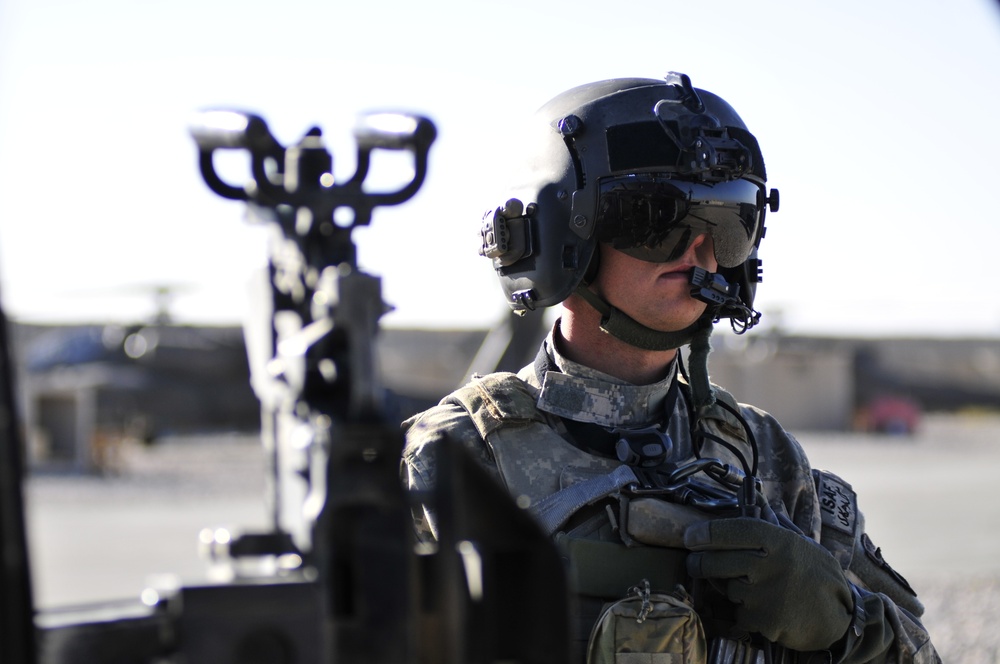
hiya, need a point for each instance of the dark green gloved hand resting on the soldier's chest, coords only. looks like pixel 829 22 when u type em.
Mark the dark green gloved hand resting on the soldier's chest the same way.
pixel 786 587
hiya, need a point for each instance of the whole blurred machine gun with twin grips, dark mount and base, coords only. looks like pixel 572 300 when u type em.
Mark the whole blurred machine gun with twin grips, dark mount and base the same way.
pixel 338 577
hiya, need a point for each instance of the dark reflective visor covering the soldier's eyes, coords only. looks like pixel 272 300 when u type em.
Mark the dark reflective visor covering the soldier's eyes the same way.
pixel 654 218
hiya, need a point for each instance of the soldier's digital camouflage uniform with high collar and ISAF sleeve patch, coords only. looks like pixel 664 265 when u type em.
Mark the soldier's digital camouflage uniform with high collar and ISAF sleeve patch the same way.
pixel 534 434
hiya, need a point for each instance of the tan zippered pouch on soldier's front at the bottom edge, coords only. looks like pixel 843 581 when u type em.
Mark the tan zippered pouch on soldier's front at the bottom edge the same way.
pixel 648 628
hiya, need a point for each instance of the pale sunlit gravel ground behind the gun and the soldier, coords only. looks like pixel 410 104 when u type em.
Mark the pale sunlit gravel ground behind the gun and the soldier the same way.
pixel 928 501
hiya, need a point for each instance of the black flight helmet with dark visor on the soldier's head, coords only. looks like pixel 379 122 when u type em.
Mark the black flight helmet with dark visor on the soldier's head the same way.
pixel 643 164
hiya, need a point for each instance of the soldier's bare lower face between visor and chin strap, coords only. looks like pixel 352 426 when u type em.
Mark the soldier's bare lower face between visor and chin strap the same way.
pixel 655 294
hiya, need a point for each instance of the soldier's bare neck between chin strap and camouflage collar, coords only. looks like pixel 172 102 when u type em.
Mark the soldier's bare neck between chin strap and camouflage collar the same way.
pixel 582 341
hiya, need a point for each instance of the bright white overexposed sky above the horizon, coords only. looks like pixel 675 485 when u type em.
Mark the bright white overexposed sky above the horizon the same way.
pixel 877 122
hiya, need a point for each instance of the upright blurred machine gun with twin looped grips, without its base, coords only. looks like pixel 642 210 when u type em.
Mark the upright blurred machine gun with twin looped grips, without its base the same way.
pixel 339 514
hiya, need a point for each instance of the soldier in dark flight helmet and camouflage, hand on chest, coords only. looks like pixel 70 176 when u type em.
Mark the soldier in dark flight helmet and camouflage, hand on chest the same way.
pixel 640 208
